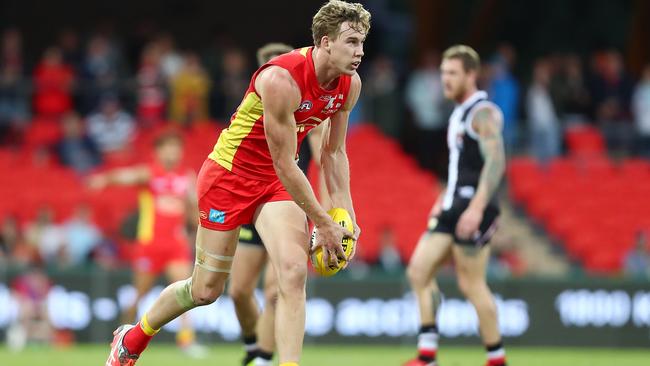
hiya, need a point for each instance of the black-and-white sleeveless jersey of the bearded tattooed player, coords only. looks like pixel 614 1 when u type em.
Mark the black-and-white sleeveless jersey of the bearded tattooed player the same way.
pixel 465 158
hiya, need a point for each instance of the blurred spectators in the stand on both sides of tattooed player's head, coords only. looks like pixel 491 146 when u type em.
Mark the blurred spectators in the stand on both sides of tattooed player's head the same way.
pixel 556 92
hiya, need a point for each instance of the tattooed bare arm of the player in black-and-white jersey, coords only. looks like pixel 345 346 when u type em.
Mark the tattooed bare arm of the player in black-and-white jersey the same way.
pixel 488 124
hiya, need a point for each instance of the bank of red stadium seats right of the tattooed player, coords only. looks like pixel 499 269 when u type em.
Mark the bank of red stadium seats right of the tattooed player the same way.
pixel 594 207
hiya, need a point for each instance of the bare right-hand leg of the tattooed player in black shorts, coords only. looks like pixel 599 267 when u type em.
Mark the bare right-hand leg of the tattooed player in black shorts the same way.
pixel 471 265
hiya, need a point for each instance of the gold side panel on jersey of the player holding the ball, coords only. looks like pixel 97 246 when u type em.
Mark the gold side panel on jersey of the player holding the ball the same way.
pixel 249 111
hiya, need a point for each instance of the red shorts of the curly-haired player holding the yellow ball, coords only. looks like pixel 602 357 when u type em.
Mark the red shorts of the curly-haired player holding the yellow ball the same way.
pixel 227 200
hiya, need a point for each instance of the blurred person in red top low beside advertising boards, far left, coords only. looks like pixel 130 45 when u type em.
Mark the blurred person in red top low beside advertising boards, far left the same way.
pixel 31 290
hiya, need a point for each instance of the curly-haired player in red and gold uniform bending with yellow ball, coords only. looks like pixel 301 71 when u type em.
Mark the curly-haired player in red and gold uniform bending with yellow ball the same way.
pixel 251 176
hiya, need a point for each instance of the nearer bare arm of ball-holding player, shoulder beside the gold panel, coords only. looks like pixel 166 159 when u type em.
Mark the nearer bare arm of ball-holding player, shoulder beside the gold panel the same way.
pixel 281 97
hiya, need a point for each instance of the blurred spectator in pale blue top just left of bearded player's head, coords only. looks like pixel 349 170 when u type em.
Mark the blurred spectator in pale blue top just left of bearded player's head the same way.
pixel 426 103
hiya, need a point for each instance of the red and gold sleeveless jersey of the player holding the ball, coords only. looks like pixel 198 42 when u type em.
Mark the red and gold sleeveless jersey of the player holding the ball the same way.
pixel 242 147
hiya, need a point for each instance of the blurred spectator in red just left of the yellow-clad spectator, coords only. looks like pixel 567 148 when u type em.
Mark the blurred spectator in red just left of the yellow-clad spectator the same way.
pixel 151 84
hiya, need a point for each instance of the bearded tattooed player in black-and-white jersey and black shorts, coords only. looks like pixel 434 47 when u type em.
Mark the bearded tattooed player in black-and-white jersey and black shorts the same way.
pixel 464 217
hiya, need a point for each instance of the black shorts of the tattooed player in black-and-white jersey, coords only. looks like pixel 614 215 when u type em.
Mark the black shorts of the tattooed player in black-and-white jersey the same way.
pixel 448 219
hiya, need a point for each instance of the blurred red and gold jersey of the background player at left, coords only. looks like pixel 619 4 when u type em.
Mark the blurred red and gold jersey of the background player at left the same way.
pixel 163 204
